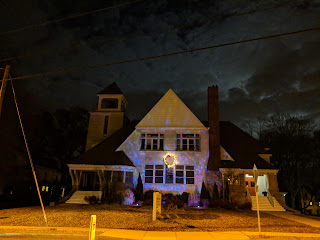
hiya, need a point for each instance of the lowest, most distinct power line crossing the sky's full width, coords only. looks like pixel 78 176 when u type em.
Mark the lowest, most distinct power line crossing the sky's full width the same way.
pixel 164 55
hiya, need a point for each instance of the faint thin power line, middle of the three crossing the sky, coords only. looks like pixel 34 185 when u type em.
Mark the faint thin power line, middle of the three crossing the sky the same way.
pixel 133 36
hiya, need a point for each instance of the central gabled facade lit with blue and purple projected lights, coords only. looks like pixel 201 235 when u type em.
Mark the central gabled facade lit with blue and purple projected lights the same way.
pixel 169 147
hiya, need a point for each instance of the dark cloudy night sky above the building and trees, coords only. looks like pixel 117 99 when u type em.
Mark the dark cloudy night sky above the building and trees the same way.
pixel 255 79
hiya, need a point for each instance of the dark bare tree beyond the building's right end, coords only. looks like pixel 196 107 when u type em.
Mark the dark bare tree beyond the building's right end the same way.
pixel 291 142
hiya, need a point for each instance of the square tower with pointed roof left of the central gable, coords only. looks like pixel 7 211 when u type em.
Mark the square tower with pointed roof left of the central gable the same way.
pixel 109 117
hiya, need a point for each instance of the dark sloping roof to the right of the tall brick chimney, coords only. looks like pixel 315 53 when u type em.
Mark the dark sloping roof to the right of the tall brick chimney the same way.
pixel 242 147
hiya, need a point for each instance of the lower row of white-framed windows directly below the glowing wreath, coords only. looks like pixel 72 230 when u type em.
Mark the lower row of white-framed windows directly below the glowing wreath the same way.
pixel 179 174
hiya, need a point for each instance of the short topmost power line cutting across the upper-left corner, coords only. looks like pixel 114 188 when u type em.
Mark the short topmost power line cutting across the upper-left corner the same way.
pixel 64 18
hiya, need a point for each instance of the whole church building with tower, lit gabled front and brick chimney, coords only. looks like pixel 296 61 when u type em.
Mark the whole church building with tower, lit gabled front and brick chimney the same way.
pixel 172 150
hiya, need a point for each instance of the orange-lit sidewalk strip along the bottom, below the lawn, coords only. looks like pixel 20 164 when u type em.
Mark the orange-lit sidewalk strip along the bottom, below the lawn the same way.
pixel 148 235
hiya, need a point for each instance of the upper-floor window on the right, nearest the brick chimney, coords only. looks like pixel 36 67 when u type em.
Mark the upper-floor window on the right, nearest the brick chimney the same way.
pixel 188 142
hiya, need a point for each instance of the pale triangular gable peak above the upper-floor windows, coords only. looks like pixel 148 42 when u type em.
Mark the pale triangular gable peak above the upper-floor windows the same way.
pixel 170 111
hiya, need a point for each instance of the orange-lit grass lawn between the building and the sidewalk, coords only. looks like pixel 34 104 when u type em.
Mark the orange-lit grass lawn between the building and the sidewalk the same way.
pixel 139 218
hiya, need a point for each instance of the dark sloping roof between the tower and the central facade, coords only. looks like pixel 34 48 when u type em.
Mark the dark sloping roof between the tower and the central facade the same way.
pixel 105 152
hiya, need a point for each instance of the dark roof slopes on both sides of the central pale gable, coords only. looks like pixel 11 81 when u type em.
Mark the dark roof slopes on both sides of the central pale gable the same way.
pixel 242 147
